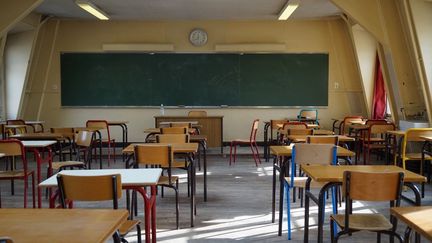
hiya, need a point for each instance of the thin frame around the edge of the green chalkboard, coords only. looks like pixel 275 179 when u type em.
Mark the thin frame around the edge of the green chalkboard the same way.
pixel 199 106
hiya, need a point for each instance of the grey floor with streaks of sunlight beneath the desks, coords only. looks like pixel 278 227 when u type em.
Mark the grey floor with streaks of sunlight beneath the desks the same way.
pixel 238 207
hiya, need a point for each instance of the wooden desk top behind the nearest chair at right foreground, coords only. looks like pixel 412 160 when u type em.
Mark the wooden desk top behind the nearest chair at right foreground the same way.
pixel 329 173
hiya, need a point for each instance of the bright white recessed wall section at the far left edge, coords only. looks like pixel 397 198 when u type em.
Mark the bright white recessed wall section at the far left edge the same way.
pixel 17 53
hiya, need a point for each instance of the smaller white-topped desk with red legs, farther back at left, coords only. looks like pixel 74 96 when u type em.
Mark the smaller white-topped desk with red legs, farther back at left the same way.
pixel 38 147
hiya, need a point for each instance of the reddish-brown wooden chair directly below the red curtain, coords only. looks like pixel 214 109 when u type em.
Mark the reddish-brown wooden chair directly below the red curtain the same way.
pixel 375 139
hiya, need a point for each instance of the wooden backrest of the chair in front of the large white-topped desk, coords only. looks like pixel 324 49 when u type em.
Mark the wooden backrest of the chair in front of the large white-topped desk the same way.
pixel 90 188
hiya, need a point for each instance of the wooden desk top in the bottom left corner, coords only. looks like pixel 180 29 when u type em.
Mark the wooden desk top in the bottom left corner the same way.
pixel 60 225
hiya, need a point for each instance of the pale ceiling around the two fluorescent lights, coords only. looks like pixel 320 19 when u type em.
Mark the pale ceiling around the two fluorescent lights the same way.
pixel 189 9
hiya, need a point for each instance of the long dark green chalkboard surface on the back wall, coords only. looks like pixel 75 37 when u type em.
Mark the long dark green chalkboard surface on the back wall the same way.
pixel 125 79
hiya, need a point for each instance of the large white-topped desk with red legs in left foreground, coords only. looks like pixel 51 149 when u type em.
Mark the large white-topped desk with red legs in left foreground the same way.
pixel 132 179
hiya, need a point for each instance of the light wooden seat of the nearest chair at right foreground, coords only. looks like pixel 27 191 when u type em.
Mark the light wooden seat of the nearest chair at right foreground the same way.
pixel 373 222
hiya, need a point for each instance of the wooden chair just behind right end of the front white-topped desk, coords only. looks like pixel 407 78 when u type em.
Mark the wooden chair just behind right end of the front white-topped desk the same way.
pixel 161 156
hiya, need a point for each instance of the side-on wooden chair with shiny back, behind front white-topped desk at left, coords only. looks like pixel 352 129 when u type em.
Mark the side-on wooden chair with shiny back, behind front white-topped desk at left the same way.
pixel 84 141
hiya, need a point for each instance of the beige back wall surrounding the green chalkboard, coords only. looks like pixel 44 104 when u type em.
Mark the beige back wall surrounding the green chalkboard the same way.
pixel 323 36
